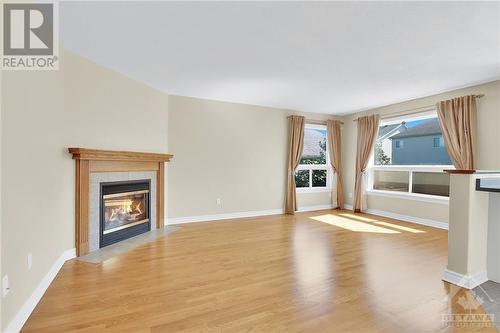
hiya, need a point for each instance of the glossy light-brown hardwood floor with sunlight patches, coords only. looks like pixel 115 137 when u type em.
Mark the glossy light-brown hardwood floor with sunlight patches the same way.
pixel 327 271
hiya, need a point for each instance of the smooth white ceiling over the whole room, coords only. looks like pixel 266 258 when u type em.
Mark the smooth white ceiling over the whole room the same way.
pixel 328 57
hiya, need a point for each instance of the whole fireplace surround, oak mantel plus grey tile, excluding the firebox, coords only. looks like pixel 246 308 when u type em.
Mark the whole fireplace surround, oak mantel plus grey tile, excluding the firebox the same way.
pixel 94 166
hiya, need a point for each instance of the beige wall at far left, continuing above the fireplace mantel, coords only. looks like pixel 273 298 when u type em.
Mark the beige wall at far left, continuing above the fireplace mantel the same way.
pixel 43 114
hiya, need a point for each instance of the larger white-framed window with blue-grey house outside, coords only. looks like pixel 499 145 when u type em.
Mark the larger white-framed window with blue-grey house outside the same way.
pixel 410 157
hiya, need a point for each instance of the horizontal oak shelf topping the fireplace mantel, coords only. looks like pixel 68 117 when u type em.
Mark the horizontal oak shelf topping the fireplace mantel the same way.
pixel 113 155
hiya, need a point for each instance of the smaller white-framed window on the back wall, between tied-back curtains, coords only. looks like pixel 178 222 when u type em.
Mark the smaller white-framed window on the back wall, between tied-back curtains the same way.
pixel 314 171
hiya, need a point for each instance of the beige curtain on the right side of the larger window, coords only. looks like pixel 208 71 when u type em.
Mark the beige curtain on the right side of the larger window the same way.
pixel 458 121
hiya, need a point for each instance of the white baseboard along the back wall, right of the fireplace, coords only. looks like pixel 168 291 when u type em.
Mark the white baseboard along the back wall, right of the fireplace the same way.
pixel 227 216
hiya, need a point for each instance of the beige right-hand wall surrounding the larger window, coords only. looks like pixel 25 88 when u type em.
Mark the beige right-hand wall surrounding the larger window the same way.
pixel 488 157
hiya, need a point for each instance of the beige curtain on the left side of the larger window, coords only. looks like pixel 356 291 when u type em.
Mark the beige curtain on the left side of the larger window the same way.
pixel 367 134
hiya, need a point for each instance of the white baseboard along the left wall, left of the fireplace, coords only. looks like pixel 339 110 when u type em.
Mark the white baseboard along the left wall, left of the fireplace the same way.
pixel 17 323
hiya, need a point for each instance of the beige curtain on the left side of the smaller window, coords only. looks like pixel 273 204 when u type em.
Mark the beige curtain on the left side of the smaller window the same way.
pixel 295 146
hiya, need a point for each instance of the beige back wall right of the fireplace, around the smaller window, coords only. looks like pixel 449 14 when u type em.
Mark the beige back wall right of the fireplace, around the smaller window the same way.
pixel 234 152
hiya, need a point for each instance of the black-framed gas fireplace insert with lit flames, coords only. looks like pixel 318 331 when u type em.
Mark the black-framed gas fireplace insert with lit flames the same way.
pixel 125 210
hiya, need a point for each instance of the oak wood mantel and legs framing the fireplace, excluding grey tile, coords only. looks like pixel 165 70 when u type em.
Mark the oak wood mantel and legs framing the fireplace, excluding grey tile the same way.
pixel 93 160
